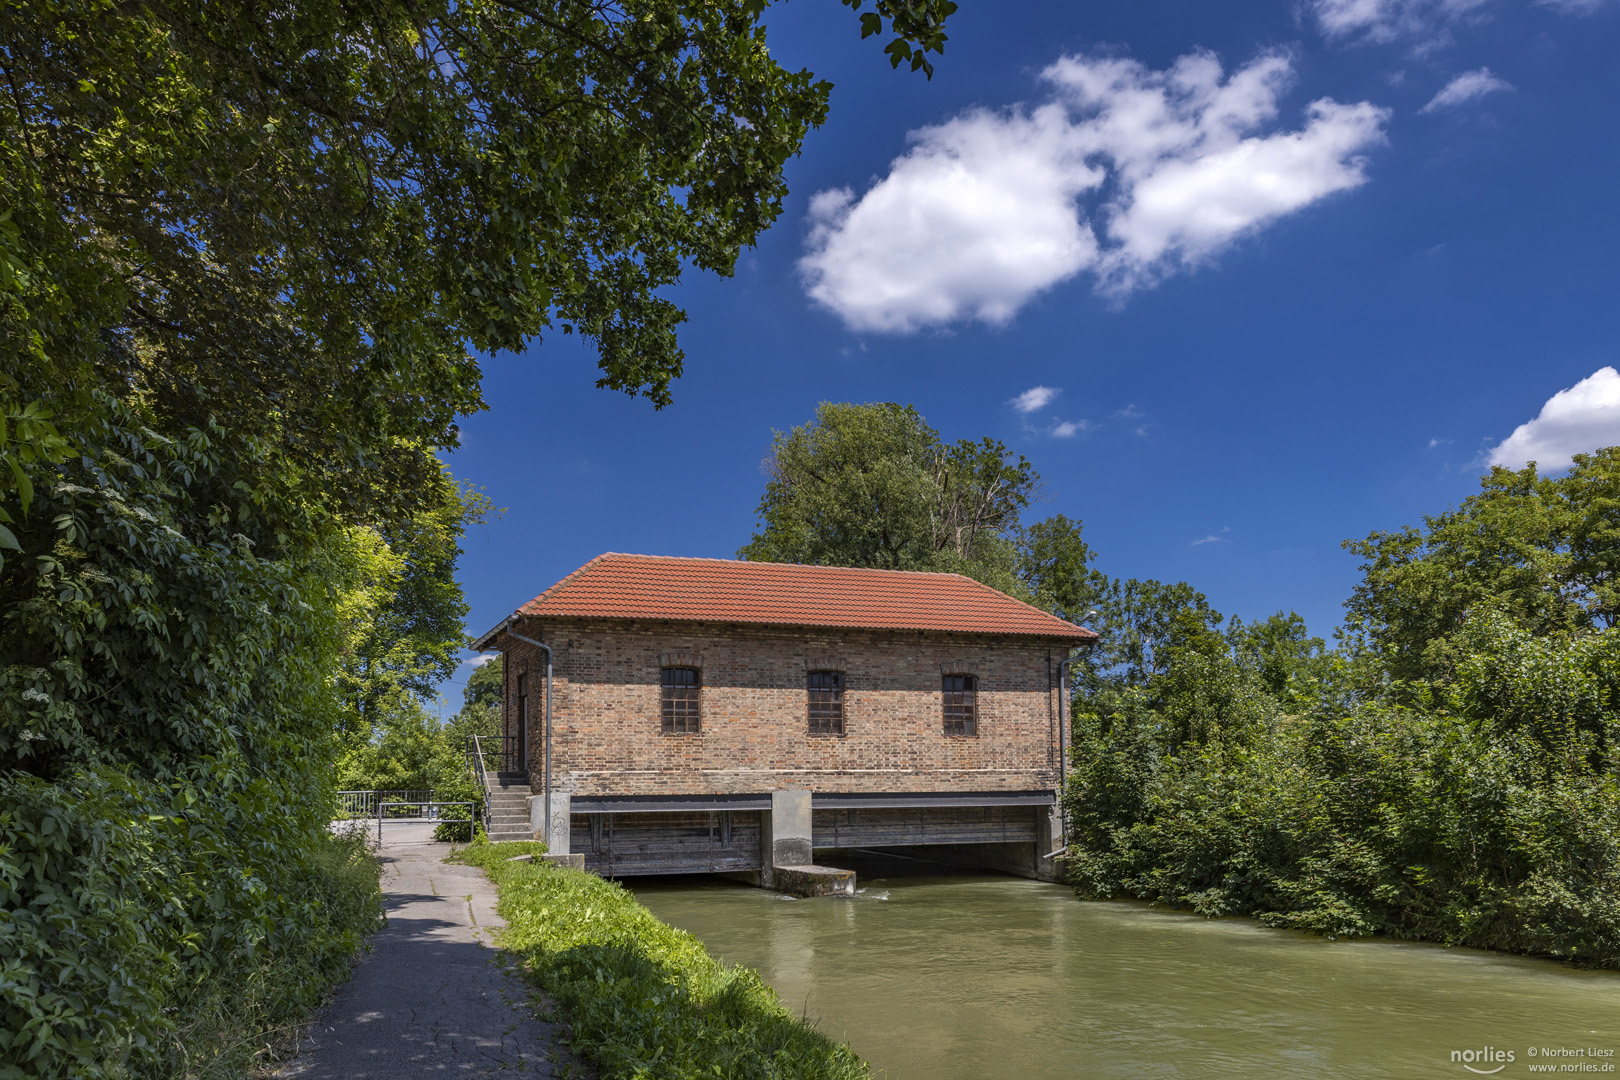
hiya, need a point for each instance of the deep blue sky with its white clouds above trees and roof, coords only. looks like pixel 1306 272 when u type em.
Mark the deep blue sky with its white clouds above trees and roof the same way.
pixel 1289 273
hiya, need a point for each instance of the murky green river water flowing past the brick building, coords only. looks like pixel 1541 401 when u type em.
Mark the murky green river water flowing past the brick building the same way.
pixel 986 977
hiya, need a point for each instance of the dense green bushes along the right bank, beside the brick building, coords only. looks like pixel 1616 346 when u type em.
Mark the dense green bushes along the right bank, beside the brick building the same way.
pixel 1488 819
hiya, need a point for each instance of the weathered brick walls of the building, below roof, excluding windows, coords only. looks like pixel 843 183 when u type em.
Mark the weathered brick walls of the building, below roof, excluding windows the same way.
pixel 607 731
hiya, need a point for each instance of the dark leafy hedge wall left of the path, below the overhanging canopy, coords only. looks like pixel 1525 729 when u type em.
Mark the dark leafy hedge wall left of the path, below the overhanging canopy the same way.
pixel 164 786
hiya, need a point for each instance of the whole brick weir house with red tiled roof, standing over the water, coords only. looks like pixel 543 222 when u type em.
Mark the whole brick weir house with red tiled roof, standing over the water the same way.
pixel 757 720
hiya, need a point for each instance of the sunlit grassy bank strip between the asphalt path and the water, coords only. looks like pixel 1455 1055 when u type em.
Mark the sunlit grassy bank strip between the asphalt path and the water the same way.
pixel 646 1000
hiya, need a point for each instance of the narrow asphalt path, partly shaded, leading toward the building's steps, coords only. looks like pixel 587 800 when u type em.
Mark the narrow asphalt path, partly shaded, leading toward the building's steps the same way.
pixel 433 998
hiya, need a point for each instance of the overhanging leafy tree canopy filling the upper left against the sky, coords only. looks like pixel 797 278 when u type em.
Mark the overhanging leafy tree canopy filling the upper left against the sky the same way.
pixel 318 215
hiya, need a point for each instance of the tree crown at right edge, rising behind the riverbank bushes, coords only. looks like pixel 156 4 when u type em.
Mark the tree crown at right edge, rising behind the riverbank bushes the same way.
pixel 1543 550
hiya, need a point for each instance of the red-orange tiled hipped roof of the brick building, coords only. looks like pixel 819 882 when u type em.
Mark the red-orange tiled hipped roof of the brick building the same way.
pixel 722 590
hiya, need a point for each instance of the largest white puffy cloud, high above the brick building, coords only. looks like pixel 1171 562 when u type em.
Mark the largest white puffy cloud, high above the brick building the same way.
pixel 1127 172
